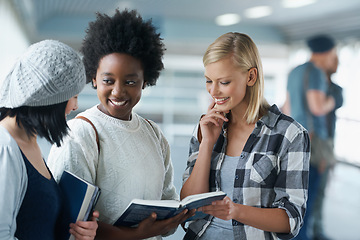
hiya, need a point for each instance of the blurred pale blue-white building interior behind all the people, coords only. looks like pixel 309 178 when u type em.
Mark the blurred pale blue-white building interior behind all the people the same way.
pixel 278 27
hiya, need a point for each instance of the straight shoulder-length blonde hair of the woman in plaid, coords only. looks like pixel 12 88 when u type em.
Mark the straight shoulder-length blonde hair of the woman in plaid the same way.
pixel 245 55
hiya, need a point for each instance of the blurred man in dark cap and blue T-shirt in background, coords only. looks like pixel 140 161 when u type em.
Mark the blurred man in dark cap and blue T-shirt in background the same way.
pixel 308 102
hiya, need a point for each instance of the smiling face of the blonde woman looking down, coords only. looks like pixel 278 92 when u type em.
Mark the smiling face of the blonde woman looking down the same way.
pixel 227 84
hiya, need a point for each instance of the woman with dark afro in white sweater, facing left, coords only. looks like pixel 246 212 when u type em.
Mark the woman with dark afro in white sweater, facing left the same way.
pixel 124 154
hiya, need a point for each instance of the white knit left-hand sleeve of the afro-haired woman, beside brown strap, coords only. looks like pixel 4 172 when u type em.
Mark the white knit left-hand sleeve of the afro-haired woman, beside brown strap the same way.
pixel 78 152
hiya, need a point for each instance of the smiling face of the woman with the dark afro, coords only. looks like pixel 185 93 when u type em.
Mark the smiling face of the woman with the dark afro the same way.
pixel 119 82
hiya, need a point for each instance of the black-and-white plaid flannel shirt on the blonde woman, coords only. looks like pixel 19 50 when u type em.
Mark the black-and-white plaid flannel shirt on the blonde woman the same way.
pixel 272 172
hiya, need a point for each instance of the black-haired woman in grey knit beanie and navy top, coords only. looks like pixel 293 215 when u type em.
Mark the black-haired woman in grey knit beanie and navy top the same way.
pixel 34 100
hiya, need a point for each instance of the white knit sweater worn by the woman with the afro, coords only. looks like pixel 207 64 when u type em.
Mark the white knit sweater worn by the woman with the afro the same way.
pixel 134 160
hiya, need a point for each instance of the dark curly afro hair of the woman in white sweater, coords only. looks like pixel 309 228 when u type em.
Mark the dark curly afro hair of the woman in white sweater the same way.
pixel 125 32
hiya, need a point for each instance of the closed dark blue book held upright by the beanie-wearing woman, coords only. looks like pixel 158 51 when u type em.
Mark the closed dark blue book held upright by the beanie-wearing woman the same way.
pixel 79 196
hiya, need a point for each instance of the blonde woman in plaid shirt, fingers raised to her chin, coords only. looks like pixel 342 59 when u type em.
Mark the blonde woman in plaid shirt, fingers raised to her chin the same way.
pixel 246 148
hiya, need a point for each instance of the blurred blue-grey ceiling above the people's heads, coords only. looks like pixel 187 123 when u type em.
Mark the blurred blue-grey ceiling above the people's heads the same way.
pixel 188 25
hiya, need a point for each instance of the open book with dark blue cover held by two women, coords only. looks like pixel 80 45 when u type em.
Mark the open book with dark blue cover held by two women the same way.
pixel 139 209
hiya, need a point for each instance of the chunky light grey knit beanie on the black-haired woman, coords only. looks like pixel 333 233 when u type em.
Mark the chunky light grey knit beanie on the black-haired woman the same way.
pixel 49 72
